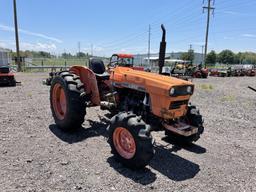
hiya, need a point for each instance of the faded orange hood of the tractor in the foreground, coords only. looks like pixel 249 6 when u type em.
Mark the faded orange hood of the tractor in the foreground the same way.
pixel 146 81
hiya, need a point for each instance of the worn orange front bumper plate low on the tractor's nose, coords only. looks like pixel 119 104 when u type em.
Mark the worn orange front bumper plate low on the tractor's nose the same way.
pixel 181 129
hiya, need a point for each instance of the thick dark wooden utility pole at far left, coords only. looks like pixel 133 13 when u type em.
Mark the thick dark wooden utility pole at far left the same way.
pixel 18 62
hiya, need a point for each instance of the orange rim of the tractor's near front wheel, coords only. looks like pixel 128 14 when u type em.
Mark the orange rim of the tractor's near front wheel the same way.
pixel 124 142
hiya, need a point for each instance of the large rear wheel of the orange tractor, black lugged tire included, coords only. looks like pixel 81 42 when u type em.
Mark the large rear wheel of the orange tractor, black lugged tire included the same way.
pixel 67 105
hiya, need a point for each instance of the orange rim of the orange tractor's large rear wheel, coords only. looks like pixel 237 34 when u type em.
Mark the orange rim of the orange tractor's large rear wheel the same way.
pixel 59 101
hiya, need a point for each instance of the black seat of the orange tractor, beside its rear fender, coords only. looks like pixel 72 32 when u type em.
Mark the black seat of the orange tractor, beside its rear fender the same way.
pixel 98 67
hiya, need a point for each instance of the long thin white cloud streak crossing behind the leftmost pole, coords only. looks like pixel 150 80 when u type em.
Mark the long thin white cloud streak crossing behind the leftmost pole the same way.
pixel 11 29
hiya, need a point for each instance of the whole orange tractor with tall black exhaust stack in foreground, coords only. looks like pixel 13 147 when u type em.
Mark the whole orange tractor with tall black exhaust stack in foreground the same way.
pixel 140 102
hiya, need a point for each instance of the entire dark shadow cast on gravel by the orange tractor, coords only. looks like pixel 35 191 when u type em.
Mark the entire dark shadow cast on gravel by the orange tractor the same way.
pixel 172 166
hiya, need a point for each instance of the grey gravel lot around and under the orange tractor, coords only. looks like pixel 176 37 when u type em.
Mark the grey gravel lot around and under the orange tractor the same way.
pixel 36 156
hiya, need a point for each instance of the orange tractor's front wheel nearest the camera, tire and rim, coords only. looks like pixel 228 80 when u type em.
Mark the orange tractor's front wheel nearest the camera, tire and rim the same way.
pixel 130 140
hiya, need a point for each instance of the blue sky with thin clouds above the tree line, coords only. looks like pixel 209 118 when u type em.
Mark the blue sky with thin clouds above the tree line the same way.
pixel 122 26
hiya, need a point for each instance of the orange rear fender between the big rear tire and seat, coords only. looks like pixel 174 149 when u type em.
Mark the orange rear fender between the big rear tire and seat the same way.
pixel 88 78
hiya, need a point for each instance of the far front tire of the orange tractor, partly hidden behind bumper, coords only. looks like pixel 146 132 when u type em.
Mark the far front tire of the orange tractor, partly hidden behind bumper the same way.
pixel 193 118
